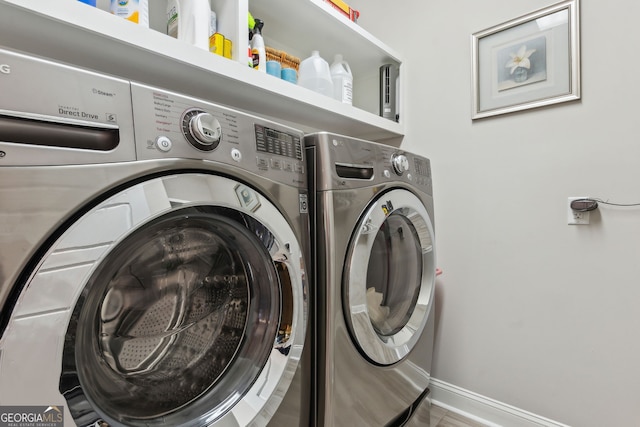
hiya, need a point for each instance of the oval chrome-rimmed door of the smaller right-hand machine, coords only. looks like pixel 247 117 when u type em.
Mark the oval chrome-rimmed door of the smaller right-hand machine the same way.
pixel 389 277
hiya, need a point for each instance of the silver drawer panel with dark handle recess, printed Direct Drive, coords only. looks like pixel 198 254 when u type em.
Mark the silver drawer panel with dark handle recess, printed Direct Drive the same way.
pixel 53 114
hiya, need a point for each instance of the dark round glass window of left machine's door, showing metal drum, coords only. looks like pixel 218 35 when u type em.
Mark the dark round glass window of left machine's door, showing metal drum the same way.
pixel 173 315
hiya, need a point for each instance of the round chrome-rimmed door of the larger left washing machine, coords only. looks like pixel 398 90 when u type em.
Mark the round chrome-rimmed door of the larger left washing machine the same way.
pixel 190 311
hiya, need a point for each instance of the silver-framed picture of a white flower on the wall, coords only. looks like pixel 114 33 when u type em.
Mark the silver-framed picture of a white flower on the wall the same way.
pixel 528 62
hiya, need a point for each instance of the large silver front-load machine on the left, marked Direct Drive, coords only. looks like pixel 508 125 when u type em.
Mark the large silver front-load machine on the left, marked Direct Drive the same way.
pixel 152 256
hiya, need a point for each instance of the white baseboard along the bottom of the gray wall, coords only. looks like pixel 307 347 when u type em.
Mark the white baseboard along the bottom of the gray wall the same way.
pixel 483 409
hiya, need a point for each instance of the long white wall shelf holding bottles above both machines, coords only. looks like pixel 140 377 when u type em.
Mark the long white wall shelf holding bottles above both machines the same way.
pixel 75 33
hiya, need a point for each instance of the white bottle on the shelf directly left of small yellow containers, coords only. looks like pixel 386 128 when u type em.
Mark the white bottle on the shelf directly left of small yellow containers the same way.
pixel 190 21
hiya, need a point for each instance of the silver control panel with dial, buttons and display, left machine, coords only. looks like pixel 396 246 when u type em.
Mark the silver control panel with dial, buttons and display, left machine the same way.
pixel 171 125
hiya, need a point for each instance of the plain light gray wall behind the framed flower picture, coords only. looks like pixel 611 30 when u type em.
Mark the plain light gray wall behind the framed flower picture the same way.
pixel 533 312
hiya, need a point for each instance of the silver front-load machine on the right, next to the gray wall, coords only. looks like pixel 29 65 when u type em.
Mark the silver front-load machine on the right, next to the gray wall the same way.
pixel 374 254
